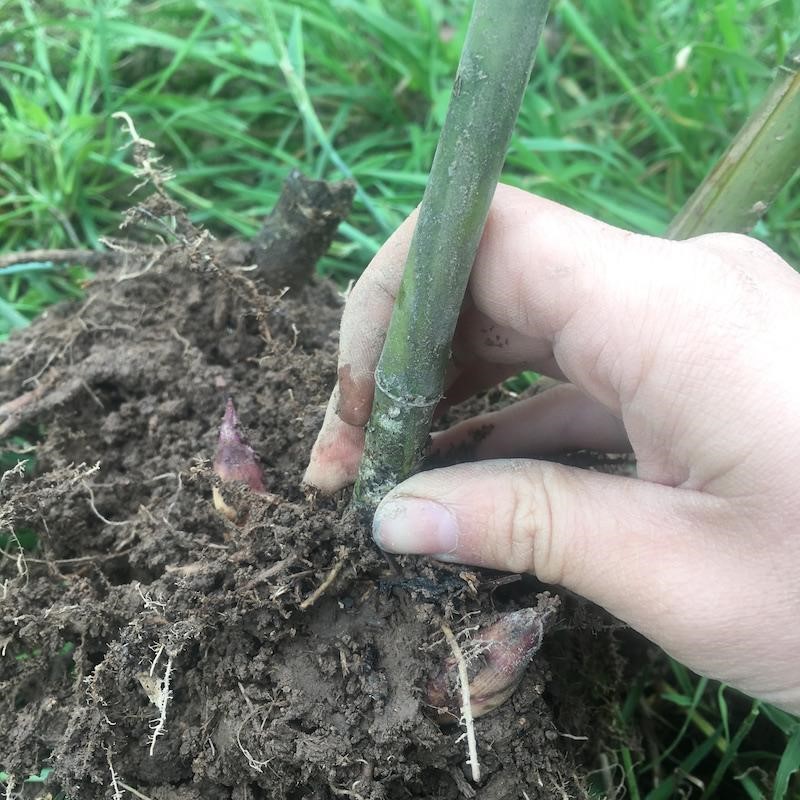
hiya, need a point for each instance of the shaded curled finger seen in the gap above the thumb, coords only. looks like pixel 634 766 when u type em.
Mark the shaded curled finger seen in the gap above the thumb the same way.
pixel 556 421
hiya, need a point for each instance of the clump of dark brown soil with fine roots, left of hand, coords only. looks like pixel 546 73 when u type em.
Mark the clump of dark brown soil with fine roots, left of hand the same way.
pixel 272 693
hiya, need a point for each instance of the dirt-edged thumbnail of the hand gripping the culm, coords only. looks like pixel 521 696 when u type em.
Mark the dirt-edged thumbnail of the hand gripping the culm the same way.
pixel 414 525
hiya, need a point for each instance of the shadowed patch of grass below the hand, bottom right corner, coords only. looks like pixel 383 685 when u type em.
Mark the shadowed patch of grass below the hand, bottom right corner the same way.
pixel 706 739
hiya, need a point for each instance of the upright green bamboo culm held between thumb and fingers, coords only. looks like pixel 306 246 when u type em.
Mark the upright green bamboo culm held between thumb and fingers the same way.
pixel 495 66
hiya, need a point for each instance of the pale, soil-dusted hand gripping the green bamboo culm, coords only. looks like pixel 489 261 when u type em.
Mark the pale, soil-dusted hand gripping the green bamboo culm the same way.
pixel 684 353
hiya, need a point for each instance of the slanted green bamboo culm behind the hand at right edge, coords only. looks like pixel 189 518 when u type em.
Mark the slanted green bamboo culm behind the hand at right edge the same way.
pixel 763 156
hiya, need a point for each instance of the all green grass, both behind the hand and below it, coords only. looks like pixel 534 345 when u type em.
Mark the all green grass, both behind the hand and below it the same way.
pixel 612 125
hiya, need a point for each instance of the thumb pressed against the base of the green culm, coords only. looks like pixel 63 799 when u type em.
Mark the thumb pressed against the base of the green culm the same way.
pixel 645 552
